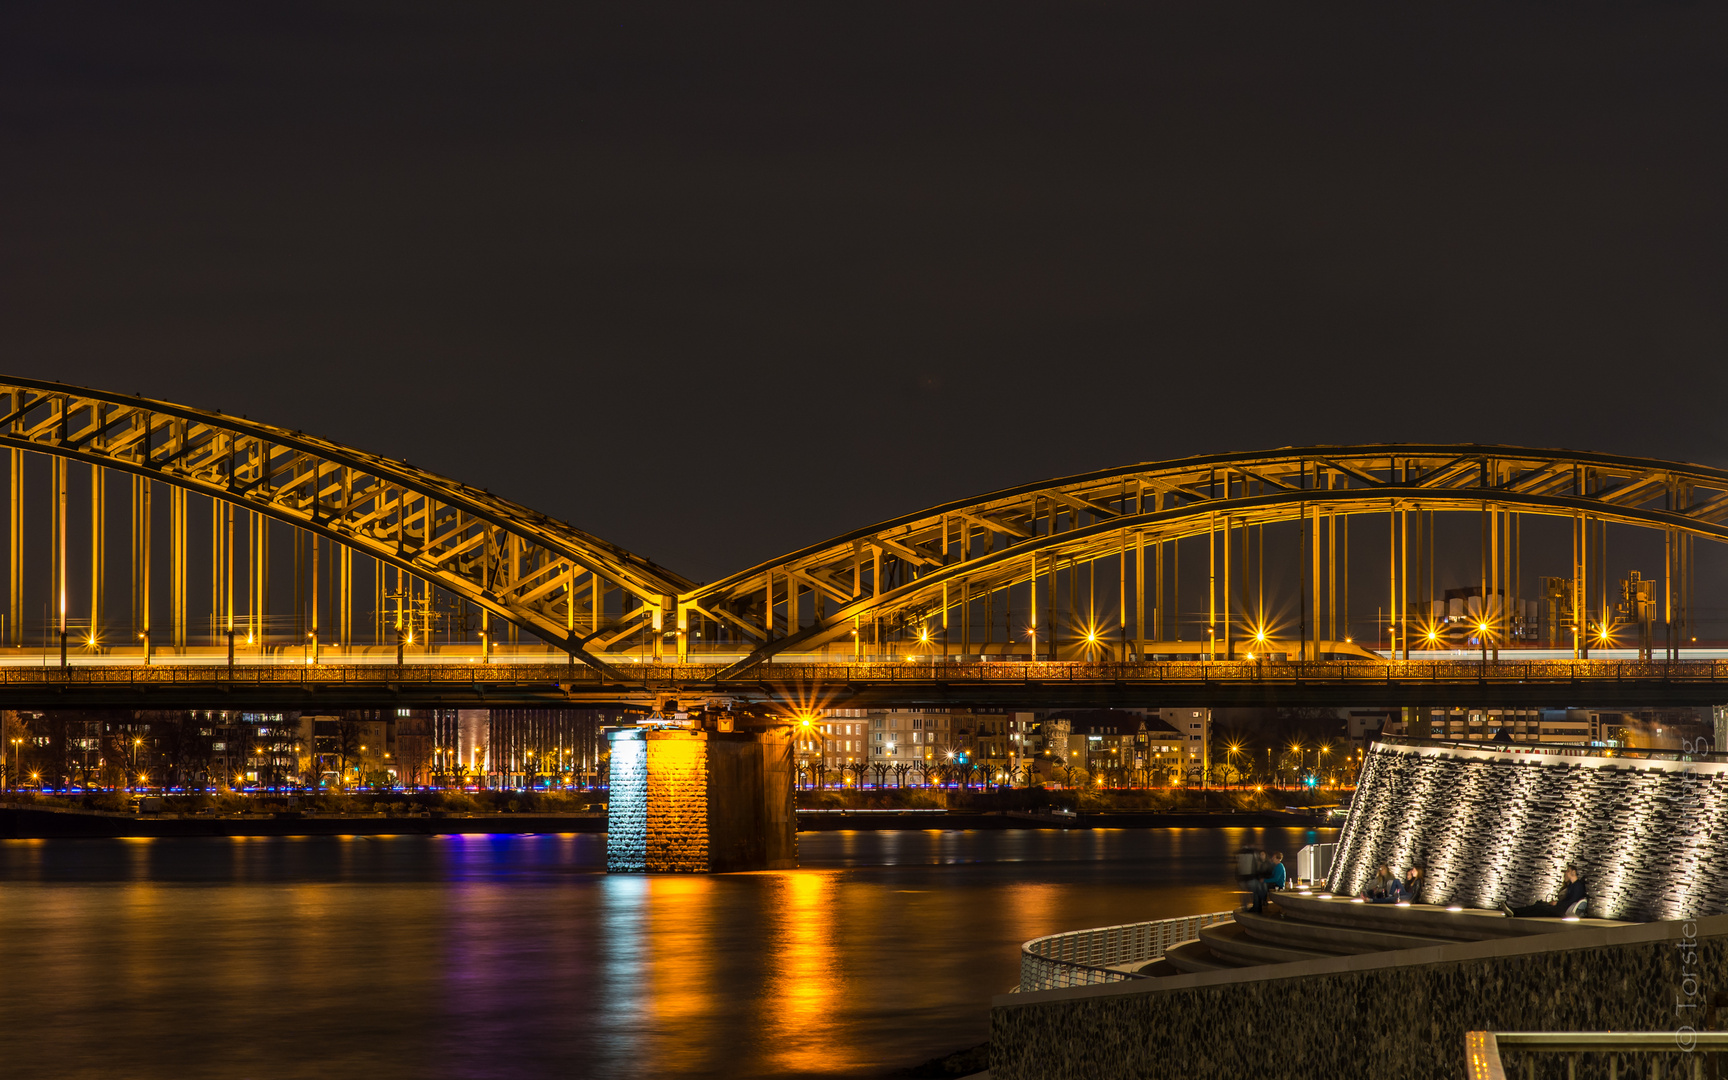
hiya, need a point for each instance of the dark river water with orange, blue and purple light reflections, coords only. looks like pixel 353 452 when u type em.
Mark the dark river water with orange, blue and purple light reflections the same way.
pixel 518 956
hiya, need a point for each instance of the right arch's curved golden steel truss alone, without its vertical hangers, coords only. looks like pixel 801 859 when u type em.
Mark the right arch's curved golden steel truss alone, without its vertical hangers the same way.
pixel 913 566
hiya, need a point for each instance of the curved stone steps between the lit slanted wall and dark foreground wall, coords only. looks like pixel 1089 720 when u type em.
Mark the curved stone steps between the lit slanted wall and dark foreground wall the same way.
pixel 1307 925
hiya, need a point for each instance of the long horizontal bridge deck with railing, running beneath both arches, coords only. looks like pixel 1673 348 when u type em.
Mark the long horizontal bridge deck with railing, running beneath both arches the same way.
pixel 810 689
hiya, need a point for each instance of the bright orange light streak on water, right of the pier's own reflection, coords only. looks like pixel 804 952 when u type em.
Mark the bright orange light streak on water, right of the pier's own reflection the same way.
pixel 804 982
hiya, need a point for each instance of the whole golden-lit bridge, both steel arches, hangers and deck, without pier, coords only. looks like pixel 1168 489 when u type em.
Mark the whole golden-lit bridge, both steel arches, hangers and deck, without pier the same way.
pixel 174 557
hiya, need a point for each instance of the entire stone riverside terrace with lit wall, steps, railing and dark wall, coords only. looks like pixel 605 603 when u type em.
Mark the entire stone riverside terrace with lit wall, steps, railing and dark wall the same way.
pixel 1447 984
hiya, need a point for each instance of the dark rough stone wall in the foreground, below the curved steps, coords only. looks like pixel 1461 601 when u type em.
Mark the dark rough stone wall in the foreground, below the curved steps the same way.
pixel 1390 1013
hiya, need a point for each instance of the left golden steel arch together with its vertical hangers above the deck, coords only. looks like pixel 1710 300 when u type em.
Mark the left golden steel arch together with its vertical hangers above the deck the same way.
pixel 512 562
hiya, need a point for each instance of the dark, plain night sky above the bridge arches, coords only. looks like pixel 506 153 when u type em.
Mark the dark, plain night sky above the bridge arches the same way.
pixel 721 281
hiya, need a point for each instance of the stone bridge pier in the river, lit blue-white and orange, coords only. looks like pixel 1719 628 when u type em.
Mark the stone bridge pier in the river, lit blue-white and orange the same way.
pixel 701 801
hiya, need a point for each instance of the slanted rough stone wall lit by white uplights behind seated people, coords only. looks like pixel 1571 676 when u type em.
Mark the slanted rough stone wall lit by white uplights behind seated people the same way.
pixel 1496 829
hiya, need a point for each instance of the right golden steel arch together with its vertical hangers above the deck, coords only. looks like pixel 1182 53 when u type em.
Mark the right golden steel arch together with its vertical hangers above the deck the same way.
pixel 918 569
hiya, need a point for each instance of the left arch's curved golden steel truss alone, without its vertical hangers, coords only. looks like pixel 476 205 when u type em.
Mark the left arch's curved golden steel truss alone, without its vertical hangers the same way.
pixel 507 559
